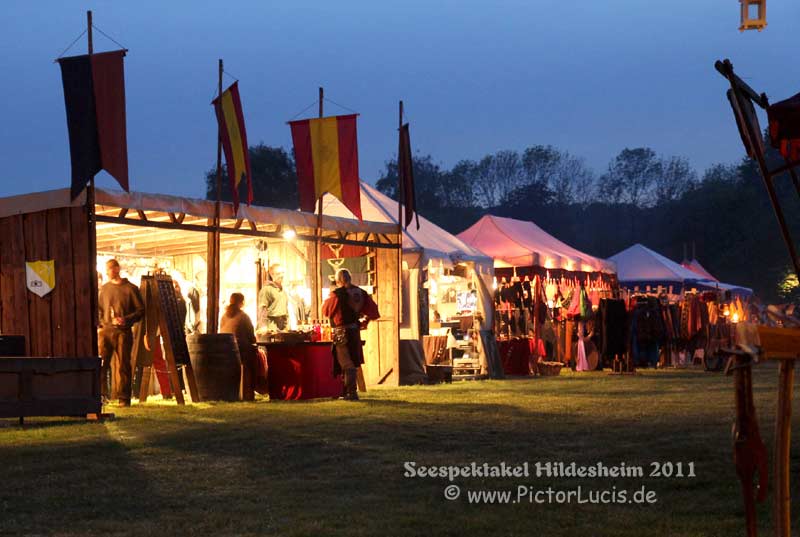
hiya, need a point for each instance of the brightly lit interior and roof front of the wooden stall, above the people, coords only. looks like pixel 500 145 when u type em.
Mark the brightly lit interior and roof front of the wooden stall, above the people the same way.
pixel 148 233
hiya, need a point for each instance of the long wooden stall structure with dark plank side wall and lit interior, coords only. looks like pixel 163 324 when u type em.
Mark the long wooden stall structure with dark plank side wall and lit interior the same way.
pixel 49 226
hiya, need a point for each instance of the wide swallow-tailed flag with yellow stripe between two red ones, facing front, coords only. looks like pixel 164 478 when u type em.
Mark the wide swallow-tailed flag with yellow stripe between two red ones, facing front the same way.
pixel 326 153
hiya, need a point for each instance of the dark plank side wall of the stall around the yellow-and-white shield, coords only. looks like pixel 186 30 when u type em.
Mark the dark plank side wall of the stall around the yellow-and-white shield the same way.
pixel 34 229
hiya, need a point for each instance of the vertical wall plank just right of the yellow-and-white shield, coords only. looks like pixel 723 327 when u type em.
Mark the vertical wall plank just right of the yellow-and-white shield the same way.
pixel 59 234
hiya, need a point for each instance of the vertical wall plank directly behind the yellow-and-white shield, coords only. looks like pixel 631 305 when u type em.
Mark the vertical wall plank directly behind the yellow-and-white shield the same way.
pixel 39 308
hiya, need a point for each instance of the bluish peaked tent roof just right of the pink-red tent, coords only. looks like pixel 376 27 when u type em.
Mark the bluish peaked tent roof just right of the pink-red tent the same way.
pixel 641 266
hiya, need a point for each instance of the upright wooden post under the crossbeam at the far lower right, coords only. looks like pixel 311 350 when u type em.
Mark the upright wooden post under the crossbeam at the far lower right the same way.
pixel 783 435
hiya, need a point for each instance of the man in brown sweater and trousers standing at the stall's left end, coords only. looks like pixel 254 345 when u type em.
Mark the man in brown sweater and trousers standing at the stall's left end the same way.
pixel 120 306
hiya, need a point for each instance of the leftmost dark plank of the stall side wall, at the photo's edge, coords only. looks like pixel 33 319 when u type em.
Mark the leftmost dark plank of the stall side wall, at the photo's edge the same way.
pixel 13 300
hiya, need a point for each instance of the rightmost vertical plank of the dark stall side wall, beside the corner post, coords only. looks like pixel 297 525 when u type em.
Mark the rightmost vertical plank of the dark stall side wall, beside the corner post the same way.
pixel 84 272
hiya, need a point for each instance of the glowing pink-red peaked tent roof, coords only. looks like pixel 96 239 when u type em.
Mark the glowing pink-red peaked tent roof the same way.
pixel 523 244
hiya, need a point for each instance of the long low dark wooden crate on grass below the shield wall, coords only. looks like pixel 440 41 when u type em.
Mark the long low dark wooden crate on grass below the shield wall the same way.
pixel 49 387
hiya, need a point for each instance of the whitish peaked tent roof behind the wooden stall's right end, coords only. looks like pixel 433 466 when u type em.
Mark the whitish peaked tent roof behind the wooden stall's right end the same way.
pixel 428 242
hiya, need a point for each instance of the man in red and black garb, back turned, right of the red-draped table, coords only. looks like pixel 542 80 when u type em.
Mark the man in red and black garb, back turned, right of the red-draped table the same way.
pixel 349 309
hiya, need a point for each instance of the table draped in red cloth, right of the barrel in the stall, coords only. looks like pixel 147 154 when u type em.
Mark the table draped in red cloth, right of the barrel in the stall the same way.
pixel 301 371
